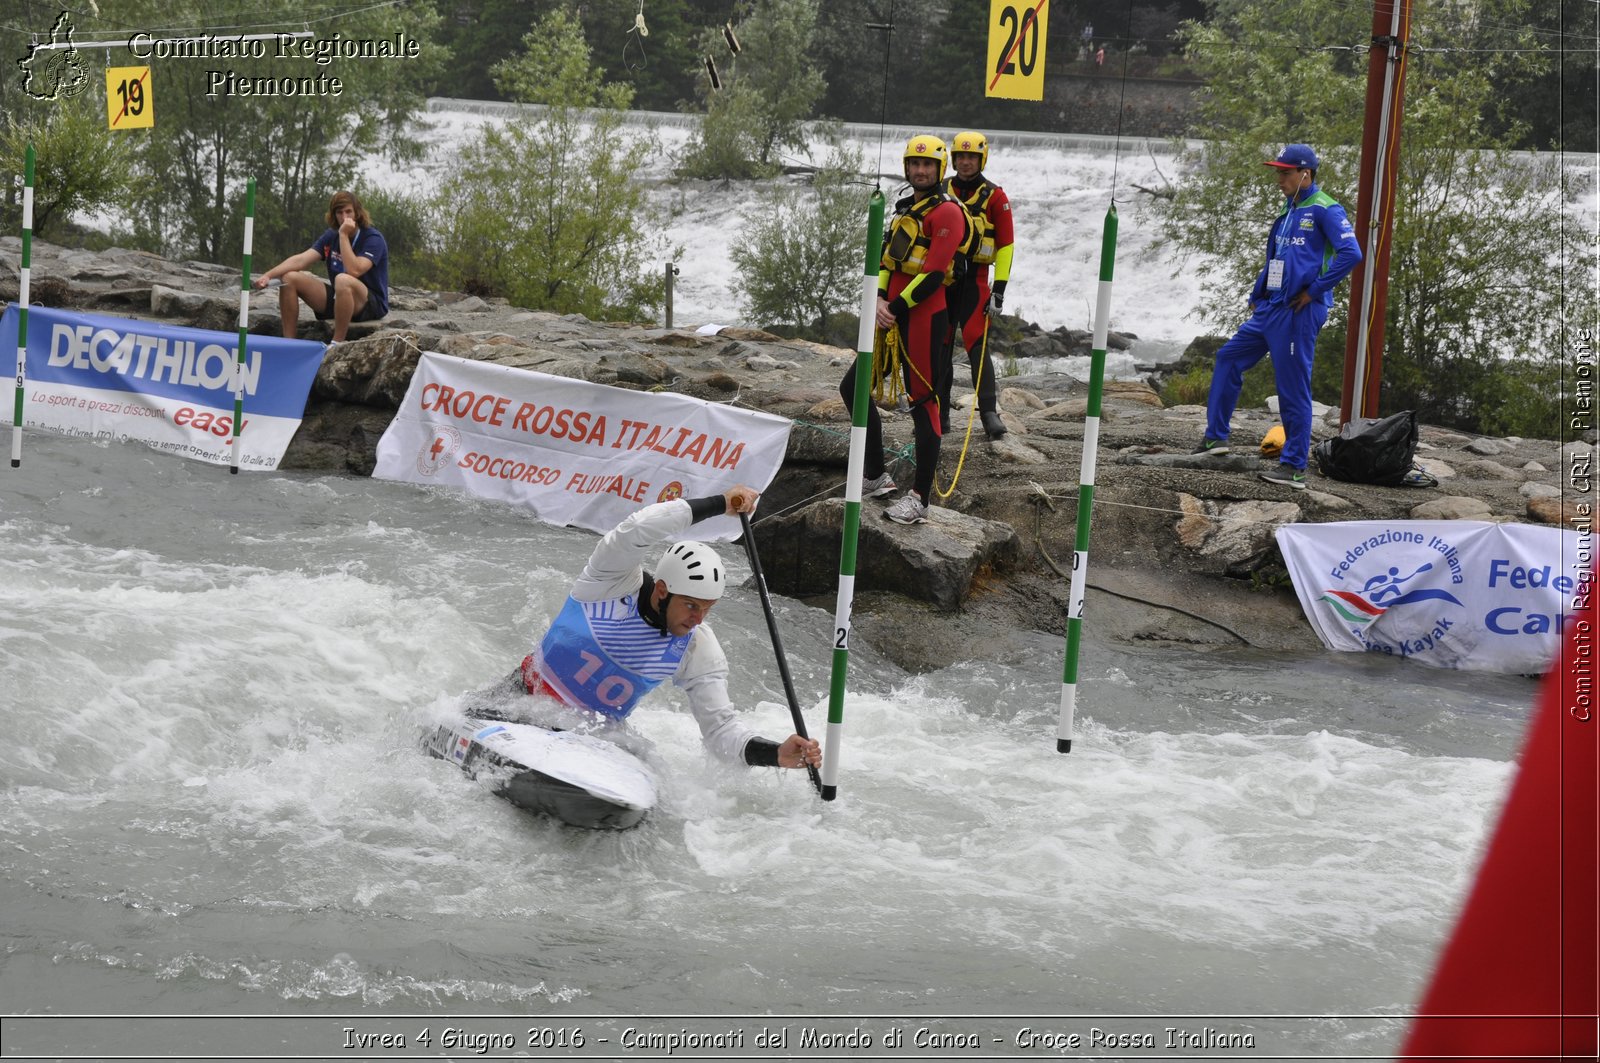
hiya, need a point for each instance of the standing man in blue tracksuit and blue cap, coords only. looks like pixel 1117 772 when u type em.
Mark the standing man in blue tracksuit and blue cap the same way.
pixel 1310 252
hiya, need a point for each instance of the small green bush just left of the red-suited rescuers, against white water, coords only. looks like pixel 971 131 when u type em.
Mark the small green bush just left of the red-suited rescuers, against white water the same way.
pixel 801 257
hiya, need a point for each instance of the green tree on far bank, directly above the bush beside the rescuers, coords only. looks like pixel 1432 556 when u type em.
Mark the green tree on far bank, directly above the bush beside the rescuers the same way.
pixel 769 94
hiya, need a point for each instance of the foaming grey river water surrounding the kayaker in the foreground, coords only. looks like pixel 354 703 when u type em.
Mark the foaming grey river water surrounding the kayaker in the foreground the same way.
pixel 212 804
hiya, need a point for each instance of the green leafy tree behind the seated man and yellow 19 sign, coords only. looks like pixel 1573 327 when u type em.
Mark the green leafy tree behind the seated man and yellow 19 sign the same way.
pixel 303 143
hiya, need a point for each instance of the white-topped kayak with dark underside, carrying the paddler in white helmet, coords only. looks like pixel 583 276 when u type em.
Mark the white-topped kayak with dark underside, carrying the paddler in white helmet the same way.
pixel 578 779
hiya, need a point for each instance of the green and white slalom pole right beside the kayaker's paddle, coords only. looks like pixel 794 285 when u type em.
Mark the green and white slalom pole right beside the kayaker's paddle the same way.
pixel 849 539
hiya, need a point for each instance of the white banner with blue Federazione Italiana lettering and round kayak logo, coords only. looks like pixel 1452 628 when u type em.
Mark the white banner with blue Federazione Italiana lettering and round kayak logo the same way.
pixel 1446 593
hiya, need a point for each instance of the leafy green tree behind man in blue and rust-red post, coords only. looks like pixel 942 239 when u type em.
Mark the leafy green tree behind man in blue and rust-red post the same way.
pixel 1478 249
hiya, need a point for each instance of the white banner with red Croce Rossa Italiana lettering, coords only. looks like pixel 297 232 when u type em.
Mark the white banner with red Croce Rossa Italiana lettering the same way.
pixel 575 454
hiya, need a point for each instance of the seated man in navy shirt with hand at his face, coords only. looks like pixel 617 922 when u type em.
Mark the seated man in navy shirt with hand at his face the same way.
pixel 358 287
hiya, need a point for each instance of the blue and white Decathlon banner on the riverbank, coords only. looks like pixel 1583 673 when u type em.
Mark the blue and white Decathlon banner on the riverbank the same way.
pixel 167 387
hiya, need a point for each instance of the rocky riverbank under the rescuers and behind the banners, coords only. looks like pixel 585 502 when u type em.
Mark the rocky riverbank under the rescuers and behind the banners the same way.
pixel 1182 550
